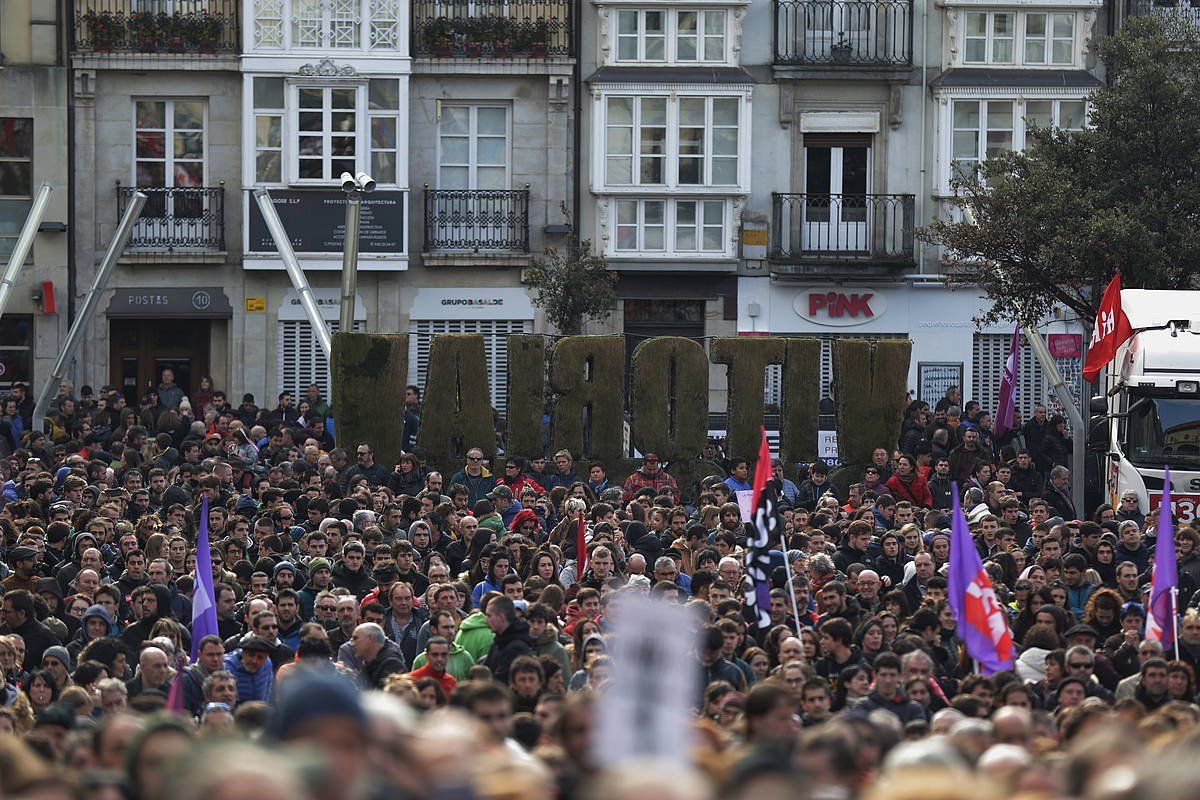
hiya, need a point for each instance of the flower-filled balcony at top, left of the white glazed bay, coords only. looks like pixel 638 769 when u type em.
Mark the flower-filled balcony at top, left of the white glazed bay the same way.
pixel 173 27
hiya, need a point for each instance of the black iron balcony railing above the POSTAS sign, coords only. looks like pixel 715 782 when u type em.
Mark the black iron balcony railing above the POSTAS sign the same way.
pixel 177 219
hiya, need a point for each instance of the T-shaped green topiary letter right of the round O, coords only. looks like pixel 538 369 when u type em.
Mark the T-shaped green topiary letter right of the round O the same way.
pixel 748 359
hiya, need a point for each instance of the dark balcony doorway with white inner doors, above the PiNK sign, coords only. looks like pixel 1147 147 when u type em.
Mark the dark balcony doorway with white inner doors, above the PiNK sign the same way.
pixel 837 183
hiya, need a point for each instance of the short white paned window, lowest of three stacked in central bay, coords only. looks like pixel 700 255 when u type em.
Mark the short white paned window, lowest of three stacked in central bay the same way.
pixel 671 227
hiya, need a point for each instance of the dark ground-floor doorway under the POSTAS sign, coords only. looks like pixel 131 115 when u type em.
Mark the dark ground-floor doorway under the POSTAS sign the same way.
pixel 141 350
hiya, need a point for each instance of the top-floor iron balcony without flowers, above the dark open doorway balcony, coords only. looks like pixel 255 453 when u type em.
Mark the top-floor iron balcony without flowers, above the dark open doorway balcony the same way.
pixel 844 35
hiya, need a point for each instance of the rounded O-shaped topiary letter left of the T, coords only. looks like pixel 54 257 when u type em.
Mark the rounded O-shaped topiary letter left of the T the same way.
pixel 670 401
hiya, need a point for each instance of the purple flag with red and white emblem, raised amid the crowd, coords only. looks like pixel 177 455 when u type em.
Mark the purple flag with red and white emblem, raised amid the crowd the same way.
pixel 982 623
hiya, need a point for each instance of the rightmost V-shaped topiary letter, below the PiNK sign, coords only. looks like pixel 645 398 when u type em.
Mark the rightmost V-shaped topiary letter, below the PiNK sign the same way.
pixel 872 378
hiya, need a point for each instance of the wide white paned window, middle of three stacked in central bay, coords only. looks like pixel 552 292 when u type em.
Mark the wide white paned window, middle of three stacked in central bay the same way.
pixel 680 141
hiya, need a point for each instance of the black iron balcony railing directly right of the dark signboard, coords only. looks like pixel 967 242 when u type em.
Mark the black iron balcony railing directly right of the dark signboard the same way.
pixel 473 221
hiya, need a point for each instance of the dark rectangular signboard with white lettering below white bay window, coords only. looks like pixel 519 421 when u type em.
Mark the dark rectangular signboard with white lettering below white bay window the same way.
pixel 316 222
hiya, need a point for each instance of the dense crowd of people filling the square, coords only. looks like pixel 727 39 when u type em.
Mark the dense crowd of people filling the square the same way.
pixel 393 630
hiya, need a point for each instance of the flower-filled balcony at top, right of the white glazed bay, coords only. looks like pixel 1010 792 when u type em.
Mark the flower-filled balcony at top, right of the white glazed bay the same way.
pixel 506 32
